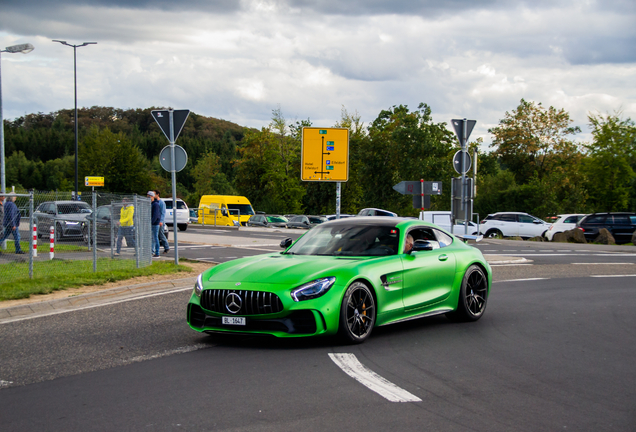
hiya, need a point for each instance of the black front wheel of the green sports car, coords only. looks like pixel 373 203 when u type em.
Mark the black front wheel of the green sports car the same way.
pixel 357 314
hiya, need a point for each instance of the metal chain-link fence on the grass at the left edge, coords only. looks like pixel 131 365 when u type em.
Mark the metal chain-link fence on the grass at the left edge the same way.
pixel 49 234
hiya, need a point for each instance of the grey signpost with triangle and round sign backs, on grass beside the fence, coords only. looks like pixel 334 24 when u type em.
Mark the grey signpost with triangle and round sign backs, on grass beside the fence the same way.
pixel 171 122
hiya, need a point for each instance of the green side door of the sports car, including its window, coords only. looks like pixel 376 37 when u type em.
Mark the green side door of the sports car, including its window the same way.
pixel 428 275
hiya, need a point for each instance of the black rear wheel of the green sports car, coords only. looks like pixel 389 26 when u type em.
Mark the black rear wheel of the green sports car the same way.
pixel 473 295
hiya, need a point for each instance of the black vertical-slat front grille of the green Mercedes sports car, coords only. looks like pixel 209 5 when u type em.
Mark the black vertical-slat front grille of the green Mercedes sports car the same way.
pixel 252 302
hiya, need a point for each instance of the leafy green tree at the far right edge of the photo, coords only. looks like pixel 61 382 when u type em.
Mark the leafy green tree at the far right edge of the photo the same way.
pixel 610 163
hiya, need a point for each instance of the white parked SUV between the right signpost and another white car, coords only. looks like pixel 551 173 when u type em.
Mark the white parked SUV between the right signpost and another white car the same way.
pixel 512 224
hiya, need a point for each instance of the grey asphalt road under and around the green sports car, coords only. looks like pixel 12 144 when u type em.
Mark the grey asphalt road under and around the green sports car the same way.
pixel 554 351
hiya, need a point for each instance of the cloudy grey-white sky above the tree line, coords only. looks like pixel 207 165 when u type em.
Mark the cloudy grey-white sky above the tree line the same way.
pixel 239 60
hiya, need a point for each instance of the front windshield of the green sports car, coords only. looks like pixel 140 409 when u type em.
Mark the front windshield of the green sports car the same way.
pixel 348 240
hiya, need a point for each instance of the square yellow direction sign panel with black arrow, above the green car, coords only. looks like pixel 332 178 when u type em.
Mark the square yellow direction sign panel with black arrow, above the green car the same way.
pixel 324 154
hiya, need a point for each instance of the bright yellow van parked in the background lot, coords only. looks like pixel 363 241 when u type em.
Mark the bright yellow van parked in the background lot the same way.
pixel 226 208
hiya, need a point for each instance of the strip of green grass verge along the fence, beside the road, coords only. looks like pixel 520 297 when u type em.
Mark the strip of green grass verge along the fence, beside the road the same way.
pixel 52 276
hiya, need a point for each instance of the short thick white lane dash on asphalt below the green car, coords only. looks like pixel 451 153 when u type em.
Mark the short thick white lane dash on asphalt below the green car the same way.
pixel 365 376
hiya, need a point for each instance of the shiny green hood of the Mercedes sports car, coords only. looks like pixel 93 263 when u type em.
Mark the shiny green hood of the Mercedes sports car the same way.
pixel 280 269
